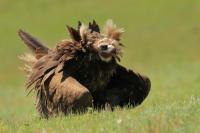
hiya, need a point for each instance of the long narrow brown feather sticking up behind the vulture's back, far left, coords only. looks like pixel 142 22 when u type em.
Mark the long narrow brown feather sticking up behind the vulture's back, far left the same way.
pixel 32 42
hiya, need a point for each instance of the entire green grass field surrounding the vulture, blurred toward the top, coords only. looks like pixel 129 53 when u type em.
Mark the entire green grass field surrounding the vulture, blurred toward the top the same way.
pixel 162 40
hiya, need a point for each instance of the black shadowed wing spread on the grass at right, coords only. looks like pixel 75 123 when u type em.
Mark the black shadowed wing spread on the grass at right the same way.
pixel 125 87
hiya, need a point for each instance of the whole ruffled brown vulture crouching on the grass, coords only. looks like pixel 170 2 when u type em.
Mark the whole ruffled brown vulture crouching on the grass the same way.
pixel 81 72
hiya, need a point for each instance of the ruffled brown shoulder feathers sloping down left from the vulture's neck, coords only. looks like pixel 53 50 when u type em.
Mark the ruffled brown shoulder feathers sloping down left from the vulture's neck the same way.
pixel 48 64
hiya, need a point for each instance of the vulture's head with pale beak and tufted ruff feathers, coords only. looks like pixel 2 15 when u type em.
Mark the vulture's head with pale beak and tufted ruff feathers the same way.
pixel 105 46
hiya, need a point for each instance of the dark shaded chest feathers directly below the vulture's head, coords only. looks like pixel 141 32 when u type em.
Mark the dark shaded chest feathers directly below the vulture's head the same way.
pixel 95 76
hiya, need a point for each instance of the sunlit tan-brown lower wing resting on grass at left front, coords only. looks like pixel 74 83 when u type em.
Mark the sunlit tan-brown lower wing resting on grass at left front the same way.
pixel 62 95
